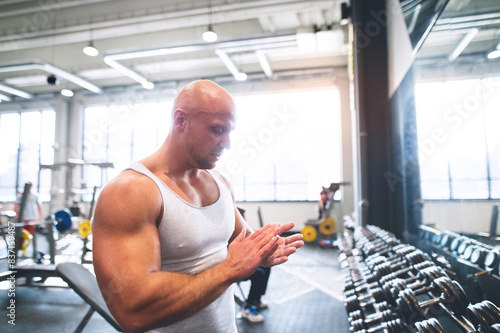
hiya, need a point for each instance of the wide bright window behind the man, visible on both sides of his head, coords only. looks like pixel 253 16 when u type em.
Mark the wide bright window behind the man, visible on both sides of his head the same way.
pixel 285 145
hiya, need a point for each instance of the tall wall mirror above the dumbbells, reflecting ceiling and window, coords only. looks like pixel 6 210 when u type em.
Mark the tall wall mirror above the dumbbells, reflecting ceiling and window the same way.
pixel 457 95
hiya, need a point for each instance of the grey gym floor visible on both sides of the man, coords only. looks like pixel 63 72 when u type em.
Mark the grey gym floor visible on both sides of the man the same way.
pixel 304 295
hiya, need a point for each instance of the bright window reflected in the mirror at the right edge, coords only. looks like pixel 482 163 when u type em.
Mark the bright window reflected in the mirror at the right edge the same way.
pixel 458 136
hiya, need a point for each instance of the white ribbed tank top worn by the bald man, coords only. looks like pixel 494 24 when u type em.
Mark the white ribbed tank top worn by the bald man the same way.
pixel 194 239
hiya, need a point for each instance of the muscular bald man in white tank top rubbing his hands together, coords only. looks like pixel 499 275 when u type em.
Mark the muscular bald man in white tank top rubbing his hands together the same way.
pixel 168 240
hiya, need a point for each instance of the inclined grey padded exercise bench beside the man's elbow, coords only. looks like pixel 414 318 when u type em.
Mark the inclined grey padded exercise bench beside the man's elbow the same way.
pixel 85 285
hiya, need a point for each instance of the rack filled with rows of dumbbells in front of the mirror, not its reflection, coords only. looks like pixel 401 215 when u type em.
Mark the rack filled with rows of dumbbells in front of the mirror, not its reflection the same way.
pixel 390 286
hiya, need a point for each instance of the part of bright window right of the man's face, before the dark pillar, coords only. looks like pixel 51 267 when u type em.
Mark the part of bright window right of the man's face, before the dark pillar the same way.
pixel 285 146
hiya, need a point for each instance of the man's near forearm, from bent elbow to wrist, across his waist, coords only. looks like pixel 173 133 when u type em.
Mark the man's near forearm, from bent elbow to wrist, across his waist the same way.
pixel 163 298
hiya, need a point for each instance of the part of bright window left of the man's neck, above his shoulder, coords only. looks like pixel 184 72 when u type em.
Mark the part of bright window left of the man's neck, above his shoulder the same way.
pixel 120 135
